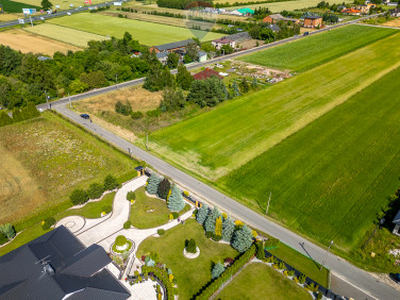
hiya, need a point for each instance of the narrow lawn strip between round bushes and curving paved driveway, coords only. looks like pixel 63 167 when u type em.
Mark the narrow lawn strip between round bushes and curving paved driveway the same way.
pixel 91 210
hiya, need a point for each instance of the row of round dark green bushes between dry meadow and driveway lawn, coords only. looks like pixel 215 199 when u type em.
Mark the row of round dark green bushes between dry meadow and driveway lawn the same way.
pixel 95 190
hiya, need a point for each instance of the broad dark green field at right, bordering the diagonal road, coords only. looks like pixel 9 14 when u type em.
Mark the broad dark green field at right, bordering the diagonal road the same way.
pixel 331 179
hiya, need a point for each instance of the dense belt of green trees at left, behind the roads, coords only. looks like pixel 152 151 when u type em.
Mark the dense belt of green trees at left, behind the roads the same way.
pixel 24 77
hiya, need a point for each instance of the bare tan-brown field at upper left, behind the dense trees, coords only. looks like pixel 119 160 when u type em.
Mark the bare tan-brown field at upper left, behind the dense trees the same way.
pixel 28 42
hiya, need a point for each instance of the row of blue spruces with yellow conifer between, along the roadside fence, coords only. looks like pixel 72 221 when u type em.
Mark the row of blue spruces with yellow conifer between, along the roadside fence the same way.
pixel 218 227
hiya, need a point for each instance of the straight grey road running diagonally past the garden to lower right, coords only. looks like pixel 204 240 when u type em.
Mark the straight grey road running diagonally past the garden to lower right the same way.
pixel 346 271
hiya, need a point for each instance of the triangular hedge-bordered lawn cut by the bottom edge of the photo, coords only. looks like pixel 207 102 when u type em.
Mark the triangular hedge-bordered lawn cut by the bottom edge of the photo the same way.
pixel 259 281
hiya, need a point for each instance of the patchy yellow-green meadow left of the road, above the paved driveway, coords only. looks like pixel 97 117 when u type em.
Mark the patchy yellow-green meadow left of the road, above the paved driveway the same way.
pixel 44 159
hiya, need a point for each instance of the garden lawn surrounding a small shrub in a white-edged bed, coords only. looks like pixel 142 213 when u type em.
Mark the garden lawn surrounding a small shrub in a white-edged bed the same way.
pixel 191 274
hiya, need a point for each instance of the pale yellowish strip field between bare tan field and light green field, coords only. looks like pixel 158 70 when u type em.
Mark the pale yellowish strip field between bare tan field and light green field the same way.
pixel 74 37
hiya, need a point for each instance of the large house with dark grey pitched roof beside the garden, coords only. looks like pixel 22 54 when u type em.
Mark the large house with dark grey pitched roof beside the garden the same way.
pixel 57 266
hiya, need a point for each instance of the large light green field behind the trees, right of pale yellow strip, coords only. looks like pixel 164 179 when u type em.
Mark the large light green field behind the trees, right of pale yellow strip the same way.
pixel 146 33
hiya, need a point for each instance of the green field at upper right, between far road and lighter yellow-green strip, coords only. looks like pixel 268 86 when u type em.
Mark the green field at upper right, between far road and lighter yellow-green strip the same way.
pixel 318 49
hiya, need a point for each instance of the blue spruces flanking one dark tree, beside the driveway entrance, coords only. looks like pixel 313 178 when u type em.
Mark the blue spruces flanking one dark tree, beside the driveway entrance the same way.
pixel 164 190
